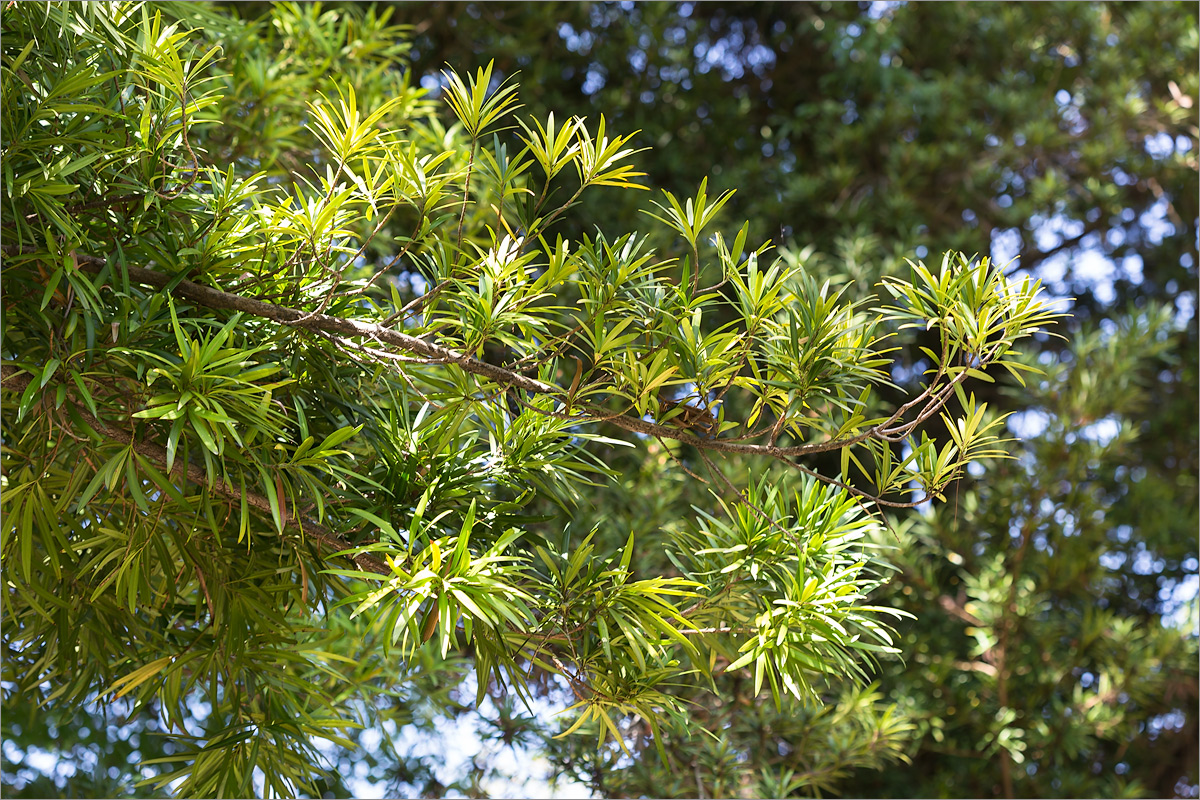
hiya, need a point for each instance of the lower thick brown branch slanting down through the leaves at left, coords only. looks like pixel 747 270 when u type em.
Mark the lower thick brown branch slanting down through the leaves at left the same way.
pixel 16 381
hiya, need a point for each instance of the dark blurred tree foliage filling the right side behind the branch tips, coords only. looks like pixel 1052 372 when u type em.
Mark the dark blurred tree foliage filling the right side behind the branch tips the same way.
pixel 1051 133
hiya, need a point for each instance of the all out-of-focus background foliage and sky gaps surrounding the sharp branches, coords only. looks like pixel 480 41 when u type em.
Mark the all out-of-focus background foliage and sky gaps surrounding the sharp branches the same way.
pixel 1054 652
